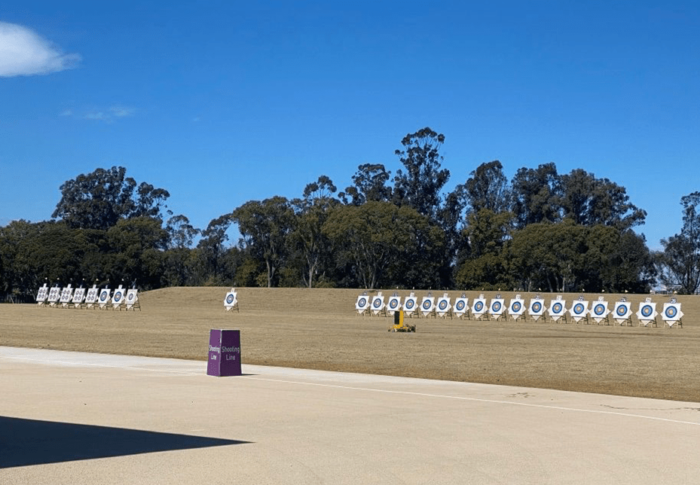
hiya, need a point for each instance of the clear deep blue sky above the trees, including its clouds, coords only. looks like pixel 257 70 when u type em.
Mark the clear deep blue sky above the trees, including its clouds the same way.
pixel 224 102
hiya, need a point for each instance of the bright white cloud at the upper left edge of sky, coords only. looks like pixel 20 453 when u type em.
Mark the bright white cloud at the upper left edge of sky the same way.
pixel 25 53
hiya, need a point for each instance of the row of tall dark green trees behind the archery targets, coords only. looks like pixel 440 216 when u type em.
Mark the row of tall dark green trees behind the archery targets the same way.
pixel 542 230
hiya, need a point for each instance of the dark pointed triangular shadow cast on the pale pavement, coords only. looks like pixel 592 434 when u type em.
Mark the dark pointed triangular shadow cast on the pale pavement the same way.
pixel 25 442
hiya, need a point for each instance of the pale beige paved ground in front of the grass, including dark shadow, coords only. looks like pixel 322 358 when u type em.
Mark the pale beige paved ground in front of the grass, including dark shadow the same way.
pixel 72 418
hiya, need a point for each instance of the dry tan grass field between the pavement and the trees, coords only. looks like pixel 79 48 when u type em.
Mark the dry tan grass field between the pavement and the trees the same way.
pixel 319 329
